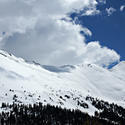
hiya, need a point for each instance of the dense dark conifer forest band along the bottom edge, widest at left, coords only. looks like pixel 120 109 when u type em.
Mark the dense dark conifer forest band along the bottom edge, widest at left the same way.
pixel 38 114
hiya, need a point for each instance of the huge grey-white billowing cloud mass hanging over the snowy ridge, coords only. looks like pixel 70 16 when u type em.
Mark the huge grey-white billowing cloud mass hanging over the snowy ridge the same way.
pixel 40 30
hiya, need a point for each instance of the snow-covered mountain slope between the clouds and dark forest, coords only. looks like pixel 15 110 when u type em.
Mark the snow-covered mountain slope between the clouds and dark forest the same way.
pixel 65 86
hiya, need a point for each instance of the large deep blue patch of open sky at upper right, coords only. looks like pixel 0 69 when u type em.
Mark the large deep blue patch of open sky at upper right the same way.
pixel 109 30
